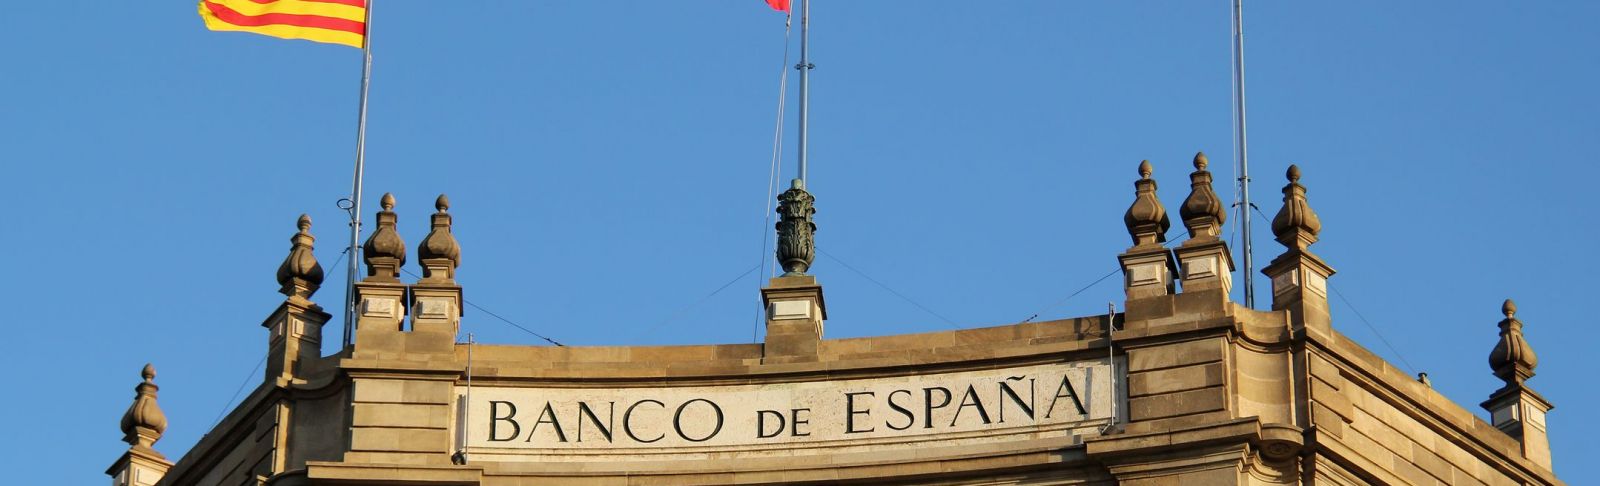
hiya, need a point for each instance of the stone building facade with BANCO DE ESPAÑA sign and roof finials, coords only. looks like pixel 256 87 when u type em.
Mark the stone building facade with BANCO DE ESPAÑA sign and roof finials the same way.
pixel 1182 388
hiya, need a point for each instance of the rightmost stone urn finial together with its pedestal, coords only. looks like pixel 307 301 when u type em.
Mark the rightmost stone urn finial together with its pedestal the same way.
pixel 1516 408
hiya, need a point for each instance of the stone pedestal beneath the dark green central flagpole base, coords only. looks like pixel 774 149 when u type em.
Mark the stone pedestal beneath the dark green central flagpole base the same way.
pixel 794 319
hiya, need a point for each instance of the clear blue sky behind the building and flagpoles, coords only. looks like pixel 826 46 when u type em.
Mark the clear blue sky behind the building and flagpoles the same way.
pixel 609 167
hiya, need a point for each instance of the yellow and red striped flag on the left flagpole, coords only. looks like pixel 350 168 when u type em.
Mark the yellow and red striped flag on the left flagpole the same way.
pixel 330 22
